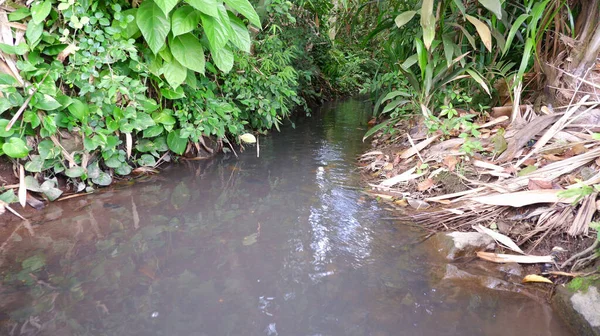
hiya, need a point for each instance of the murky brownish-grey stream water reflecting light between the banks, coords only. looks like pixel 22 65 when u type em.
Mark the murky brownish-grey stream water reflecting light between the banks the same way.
pixel 284 244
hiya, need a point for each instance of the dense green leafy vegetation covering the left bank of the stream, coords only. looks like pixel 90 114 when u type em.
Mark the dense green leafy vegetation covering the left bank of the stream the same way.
pixel 97 89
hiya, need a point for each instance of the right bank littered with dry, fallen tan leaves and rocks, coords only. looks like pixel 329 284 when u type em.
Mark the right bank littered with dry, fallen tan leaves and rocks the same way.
pixel 532 183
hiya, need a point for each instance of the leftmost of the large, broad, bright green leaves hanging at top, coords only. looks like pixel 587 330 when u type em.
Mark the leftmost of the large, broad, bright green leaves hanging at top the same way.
pixel 154 24
